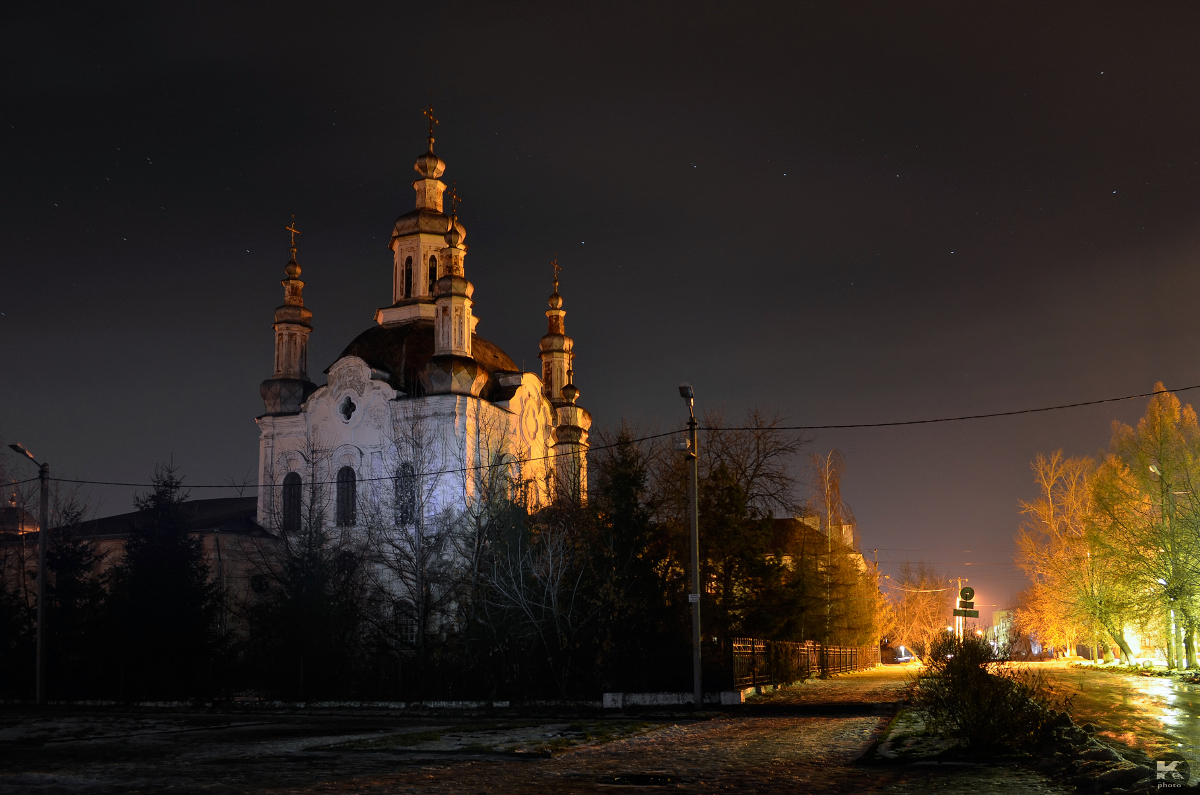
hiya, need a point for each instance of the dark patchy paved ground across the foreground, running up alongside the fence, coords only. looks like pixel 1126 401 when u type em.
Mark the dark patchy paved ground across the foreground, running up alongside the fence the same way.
pixel 805 740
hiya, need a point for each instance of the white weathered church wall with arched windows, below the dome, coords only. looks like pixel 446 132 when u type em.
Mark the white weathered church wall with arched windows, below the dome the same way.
pixel 362 422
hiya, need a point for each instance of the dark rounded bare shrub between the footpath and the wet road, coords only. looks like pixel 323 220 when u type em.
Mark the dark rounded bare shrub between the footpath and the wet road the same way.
pixel 968 694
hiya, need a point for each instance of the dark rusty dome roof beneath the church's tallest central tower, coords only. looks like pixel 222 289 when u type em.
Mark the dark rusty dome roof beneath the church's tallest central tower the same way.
pixel 404 351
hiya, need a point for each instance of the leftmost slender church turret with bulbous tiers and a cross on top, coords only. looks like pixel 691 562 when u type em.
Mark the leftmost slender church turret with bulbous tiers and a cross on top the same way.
pixel 289 387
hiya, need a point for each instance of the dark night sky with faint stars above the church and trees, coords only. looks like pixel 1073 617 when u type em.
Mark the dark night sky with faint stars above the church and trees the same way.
pixel 847 213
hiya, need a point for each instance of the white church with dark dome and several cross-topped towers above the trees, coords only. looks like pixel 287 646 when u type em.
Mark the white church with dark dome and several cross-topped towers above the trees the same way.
pixel 421 416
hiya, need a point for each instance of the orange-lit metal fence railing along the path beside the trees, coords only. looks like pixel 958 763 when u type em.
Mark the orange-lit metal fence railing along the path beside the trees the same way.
pixel 777 662
